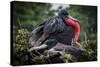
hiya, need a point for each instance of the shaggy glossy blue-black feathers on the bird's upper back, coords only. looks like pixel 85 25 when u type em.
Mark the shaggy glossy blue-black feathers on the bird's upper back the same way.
pixel 54 25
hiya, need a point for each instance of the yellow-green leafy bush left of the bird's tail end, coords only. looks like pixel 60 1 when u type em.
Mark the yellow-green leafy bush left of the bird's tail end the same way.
pixel 20 50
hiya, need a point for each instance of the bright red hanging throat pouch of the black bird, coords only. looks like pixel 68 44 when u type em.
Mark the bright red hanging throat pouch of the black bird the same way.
pixel 71 22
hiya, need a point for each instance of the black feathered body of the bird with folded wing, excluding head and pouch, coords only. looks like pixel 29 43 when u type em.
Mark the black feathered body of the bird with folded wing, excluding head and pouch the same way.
pixel 53 28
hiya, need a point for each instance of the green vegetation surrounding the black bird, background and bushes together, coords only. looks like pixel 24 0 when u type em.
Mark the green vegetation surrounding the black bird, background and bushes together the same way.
pixel 27 16
